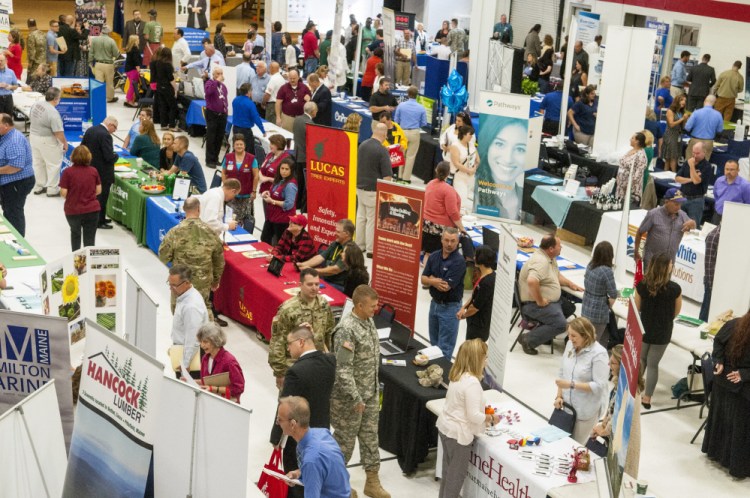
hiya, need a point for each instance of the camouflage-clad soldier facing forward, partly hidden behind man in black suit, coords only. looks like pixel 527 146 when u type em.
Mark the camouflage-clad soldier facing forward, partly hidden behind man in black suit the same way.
pixel 307 307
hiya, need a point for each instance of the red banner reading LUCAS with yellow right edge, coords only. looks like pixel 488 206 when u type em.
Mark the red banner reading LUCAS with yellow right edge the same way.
pixel 331 180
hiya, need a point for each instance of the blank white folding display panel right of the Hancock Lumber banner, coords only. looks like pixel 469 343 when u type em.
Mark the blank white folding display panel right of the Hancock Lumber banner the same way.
pixel 221 444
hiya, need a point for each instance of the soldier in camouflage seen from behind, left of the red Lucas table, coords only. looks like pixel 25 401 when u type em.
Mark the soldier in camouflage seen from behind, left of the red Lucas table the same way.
pixel 194 244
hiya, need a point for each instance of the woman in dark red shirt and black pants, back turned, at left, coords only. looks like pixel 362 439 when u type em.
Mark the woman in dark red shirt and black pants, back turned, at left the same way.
pixel 79 186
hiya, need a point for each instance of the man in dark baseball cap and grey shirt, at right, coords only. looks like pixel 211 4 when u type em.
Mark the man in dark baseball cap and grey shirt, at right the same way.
pixel 664 225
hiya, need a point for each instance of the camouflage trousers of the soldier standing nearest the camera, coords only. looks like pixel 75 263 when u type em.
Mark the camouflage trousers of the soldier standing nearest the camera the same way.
pixel 348 426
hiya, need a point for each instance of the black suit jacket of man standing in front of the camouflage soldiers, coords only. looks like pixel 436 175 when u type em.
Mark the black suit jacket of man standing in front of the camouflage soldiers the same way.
pixel 311 377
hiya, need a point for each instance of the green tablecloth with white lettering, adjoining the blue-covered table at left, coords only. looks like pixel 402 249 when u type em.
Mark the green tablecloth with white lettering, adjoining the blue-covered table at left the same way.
pixel 127 203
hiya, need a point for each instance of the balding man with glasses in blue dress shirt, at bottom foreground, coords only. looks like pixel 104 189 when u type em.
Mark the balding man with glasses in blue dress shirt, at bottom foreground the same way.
pixel 322 468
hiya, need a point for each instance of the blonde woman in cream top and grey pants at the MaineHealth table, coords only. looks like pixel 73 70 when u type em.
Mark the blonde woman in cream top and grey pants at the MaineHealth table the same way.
pixel 463 416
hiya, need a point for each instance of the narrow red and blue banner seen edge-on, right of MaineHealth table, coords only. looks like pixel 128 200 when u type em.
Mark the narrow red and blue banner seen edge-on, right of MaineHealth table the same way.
pixel 625 400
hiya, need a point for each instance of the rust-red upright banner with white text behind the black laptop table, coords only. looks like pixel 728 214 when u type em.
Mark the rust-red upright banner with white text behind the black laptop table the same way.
pixel 398 241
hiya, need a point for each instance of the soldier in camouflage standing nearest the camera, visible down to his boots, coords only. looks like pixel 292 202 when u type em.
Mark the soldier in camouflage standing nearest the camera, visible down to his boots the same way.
pixel 355 401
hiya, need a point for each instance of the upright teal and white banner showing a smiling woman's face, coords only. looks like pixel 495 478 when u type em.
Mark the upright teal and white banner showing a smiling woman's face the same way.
pixel 503 139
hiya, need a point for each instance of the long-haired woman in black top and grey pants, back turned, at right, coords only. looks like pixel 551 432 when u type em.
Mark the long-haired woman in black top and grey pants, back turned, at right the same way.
pixel 659 301
